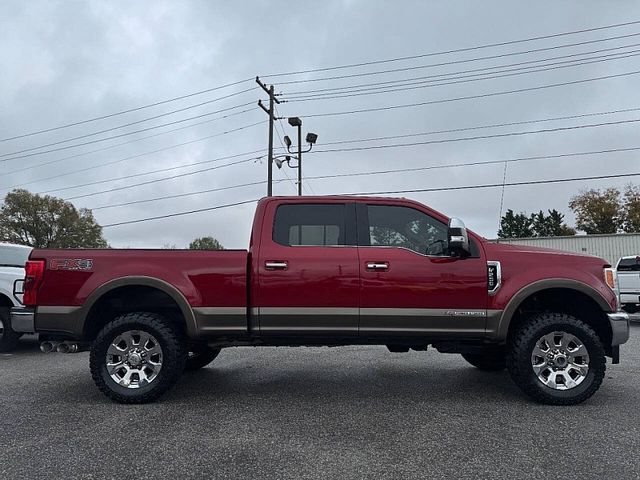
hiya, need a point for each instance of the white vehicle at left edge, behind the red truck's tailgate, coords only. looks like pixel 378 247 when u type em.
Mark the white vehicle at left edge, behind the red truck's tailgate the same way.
pixel 12 260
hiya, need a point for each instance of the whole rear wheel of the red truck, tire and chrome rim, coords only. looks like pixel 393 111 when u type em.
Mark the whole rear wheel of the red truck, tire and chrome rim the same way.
pixel 137 357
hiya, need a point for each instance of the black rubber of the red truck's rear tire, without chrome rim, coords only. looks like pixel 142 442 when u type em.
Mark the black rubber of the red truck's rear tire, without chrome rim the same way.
pixel 174 352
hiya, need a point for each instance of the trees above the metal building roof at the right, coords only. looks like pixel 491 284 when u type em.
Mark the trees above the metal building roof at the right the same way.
pixel 596 212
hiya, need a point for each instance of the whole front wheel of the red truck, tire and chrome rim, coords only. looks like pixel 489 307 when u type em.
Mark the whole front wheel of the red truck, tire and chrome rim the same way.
pixel 557 359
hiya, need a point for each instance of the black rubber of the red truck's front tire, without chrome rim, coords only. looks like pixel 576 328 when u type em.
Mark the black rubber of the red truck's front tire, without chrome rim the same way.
pixel 521 348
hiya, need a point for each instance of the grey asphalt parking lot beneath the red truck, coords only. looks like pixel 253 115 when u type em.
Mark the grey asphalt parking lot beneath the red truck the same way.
pixel 351 412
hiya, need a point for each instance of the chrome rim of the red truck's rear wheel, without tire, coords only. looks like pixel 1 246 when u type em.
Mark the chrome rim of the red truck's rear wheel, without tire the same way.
pixel 134 359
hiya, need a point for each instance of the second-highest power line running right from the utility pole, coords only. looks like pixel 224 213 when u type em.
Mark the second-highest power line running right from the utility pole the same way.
pixel 456 62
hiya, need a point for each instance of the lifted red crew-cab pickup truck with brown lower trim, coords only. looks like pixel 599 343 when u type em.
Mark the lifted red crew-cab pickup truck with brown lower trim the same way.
pixel 331 271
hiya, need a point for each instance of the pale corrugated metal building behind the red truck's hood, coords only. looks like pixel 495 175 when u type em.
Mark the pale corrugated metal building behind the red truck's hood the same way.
pixel 610 247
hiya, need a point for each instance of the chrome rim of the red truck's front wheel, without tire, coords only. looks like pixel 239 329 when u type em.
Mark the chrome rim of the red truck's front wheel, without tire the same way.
pixel 560 360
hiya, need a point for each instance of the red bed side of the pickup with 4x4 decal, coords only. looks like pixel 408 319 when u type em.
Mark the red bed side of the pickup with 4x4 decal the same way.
pixel 210 285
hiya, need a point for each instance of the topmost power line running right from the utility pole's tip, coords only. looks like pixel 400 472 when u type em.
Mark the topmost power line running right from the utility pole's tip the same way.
pixel 456 50
